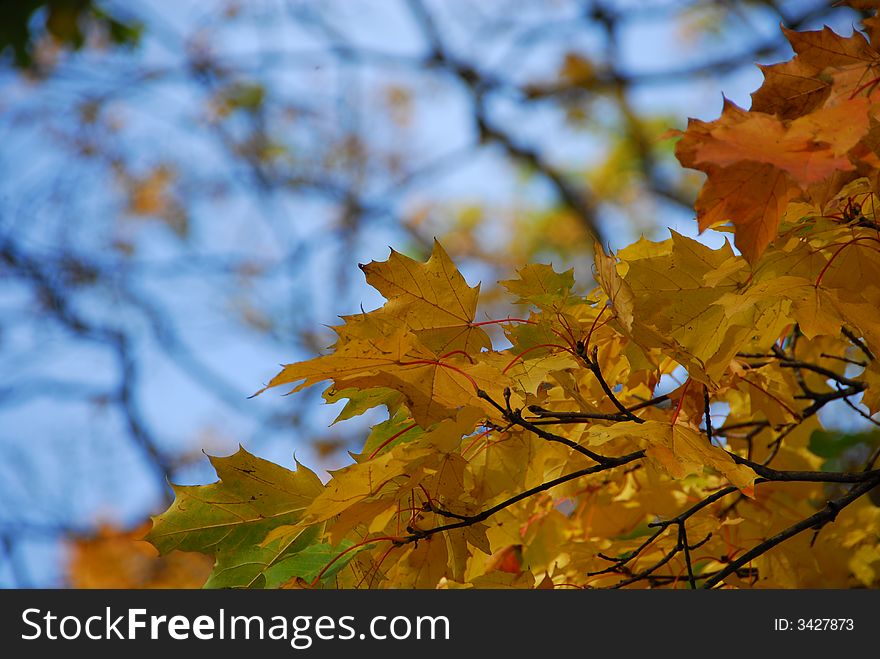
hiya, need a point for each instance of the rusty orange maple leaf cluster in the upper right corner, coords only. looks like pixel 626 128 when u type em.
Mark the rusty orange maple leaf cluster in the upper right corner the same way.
pixel 808 126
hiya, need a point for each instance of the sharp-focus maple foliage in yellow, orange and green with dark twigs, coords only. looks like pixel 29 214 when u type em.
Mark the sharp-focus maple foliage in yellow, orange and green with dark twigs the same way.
pixel 660 430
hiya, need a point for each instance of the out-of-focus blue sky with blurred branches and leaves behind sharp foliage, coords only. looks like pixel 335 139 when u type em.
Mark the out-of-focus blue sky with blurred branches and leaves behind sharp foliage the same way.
pixel 186 189
